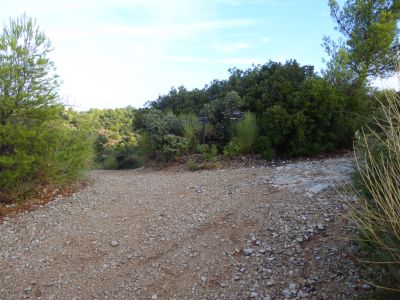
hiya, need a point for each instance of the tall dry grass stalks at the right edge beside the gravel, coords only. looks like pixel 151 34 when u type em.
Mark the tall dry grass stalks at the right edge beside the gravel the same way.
pixel 377 213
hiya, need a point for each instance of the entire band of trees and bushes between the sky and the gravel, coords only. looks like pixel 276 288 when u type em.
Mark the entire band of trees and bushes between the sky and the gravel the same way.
pixel 273 110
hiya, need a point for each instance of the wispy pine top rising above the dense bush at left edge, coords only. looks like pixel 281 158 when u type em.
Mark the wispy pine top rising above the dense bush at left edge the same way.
pixel 28 88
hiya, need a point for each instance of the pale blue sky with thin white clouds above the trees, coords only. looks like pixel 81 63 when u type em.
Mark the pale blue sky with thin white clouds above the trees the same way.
pixel 115 53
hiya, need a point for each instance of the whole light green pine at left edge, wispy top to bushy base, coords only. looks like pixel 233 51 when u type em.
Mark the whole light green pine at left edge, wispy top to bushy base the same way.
pixel 36 144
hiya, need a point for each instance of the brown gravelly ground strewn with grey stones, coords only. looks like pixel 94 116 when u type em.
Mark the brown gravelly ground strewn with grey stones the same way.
pixel 258 232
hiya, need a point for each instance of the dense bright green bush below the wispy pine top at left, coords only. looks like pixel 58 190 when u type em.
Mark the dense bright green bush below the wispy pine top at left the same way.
pixel 53 152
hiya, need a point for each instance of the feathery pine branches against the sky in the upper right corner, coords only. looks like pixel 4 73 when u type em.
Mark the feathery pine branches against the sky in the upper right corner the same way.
pixel 370 41
